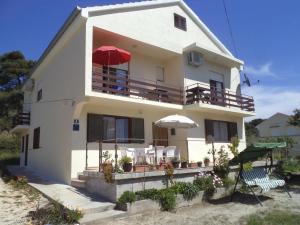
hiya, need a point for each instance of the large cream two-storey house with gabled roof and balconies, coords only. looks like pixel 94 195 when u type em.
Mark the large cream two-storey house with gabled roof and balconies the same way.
pixel 68 102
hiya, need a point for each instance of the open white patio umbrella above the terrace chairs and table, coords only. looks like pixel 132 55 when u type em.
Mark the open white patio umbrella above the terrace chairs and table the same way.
pixel 176 121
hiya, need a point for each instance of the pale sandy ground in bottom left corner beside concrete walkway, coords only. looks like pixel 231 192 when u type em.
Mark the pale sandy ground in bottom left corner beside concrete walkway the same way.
pixel 14 205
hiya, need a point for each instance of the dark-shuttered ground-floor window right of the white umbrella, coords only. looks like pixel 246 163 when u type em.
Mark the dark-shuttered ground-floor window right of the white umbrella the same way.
pixel 221 131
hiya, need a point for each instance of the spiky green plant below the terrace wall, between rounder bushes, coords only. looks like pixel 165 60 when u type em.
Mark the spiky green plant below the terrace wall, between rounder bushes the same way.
pixel 188 190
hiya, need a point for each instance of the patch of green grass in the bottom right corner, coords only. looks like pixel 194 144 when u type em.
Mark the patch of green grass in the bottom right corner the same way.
pixel 275 218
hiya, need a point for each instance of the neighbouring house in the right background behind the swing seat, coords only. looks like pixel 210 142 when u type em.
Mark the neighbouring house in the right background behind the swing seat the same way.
pixel 278 126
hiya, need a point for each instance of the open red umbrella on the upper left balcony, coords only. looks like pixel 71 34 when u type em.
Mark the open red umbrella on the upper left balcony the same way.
pixel 110 55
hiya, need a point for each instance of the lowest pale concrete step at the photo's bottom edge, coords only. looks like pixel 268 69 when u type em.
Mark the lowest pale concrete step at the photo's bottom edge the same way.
pixel 101 217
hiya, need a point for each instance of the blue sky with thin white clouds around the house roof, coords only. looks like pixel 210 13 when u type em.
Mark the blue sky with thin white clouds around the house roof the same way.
pixel 266 34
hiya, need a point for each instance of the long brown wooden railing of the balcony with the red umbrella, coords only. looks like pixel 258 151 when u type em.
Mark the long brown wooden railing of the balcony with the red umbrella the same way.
pixel 124 86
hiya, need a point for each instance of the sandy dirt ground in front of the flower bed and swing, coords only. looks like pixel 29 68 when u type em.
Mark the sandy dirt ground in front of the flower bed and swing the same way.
pixel 220 212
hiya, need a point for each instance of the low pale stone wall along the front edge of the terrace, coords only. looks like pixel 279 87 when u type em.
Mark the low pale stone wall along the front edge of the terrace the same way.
pixel 95 182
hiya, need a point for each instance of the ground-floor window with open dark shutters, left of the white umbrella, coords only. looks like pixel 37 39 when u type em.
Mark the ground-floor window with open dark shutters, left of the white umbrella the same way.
pixel 108 128
